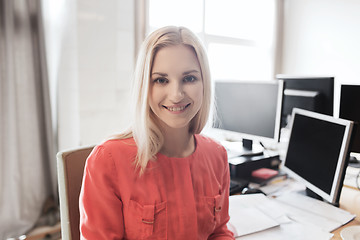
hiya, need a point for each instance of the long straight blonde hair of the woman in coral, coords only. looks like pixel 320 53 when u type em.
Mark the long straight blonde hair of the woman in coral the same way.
pixel 147 135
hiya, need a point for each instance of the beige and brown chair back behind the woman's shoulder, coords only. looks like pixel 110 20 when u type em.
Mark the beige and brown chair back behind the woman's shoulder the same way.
pixel 70 166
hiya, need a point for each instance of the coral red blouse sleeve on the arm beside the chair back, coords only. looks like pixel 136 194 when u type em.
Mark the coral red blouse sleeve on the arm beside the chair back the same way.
pixel 100 206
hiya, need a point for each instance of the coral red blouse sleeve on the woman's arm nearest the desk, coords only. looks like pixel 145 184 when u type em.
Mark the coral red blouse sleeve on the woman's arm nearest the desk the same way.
pixel 222 232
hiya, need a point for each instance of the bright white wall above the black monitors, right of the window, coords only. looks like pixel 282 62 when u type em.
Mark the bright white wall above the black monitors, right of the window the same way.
pixel 322 37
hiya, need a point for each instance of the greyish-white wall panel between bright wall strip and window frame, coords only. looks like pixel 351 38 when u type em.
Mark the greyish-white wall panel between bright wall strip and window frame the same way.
pixel 106 62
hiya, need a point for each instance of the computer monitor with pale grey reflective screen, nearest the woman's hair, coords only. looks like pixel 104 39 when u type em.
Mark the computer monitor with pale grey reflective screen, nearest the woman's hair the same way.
pixel 251 109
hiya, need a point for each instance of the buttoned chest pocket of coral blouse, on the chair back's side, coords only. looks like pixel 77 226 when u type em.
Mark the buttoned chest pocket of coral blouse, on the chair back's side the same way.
pixel 145 221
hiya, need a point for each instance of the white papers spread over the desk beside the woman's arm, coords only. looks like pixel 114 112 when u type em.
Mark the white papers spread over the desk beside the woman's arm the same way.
pixel 257 217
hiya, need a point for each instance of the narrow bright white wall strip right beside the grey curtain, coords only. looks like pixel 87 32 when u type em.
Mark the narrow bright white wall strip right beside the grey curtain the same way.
pixel 61 53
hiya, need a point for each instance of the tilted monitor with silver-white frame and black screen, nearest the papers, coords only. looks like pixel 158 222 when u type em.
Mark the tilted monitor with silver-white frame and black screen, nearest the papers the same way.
pixel 317 153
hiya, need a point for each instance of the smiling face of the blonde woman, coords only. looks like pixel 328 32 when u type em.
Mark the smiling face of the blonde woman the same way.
pixel 176 86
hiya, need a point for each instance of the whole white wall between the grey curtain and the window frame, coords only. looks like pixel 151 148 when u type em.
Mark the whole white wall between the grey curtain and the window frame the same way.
pixel 90 52
